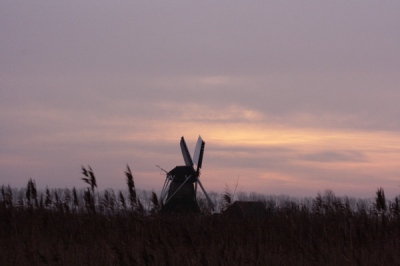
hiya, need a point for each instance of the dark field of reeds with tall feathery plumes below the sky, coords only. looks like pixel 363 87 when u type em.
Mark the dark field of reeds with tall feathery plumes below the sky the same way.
pixel 88 227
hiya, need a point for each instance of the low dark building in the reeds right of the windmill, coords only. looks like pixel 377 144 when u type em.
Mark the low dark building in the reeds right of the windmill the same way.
pixel 246 209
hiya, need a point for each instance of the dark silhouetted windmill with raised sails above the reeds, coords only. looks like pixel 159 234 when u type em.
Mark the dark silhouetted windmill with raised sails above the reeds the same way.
pixel 180 187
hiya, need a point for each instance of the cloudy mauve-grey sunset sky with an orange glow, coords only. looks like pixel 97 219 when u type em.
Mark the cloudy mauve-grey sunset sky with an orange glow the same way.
pixel 290 97
